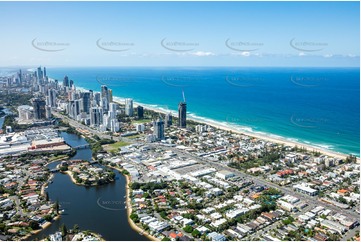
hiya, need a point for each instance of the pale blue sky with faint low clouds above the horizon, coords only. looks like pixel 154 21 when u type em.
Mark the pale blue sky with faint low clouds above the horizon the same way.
pixel 180 33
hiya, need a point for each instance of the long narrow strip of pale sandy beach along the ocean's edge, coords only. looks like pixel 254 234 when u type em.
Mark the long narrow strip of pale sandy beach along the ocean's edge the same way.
pixel 238 130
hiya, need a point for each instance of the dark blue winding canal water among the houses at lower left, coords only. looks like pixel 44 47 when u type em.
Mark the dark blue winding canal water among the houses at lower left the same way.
pixel 100 209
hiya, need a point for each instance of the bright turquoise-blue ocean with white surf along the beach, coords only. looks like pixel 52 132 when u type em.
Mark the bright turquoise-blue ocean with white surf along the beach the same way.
pixel 315 106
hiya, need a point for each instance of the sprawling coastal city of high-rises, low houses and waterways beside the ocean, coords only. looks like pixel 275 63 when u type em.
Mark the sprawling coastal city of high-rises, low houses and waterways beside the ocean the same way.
pixel 195 180
